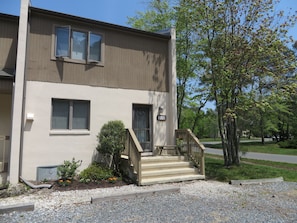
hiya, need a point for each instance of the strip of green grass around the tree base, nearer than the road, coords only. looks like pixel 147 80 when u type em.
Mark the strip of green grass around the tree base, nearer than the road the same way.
pixel 215 170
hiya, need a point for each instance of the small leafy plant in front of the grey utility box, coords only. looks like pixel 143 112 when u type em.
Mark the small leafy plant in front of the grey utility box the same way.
pixel 67 171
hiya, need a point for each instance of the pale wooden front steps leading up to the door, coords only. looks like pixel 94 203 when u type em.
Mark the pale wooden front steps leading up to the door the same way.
pixel 166 169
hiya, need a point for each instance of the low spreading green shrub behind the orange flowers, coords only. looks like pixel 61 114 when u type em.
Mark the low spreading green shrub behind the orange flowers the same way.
pixel 95 173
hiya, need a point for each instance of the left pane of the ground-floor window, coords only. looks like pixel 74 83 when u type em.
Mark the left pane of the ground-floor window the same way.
pixel 60 117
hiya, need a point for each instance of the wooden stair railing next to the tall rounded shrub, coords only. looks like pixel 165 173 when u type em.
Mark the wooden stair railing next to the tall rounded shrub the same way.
pixel 133 150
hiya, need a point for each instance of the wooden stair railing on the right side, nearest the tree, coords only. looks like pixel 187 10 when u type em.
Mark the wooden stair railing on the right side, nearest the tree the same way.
pixel 191 145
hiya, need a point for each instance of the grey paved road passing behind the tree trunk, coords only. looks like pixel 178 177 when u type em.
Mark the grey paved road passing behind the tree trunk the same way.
pixel 258 156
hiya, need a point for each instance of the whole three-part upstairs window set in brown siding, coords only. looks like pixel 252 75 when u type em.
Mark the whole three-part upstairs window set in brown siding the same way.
pixel 78 45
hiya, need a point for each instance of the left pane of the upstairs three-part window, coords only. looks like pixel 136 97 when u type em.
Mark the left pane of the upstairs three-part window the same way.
pixel 62 41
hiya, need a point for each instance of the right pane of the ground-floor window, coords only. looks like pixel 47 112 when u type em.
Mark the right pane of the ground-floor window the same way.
pixel 80 118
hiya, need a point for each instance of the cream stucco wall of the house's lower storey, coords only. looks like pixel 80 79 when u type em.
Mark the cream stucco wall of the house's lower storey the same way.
pixel 44 147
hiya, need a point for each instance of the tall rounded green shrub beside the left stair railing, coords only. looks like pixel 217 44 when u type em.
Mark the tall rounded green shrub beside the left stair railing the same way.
pixel 111 143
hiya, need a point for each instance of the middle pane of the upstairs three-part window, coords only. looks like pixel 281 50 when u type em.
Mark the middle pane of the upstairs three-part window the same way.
pixel 79 44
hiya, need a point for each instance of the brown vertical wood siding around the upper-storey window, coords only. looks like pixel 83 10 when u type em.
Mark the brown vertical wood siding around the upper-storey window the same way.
pixel 131 60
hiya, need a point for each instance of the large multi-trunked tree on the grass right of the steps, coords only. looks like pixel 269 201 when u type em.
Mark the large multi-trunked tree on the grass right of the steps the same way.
pixel 243 43
